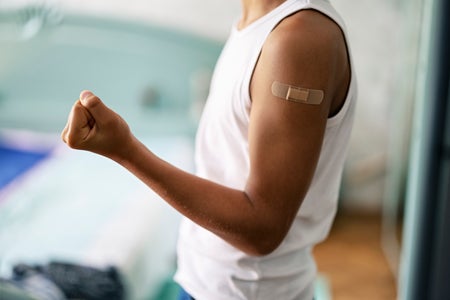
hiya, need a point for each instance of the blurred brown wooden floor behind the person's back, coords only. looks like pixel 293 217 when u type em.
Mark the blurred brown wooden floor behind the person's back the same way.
pixel 352 261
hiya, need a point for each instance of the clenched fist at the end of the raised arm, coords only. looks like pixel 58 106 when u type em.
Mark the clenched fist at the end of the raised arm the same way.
pixel 92 126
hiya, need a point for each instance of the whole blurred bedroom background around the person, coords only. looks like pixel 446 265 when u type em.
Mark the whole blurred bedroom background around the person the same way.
pixel 151 61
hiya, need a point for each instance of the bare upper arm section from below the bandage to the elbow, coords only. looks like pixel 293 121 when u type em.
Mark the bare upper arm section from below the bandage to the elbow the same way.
pixel 285 139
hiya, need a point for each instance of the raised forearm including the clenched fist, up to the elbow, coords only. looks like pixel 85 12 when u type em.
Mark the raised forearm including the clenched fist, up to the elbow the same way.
pixel 229 213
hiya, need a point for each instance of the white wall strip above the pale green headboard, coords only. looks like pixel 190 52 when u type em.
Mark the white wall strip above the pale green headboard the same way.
pixel 210 18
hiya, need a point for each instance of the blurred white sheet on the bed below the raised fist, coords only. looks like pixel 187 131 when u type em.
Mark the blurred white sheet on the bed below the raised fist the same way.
pixel 79 207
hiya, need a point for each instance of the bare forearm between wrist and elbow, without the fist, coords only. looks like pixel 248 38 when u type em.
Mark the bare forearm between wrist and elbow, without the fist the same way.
pixel 229 213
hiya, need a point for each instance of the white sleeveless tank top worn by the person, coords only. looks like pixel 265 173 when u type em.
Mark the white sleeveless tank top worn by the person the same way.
pixel 208 267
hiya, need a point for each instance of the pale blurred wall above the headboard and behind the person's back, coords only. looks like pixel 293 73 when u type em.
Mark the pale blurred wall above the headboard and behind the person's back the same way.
pixel 375 32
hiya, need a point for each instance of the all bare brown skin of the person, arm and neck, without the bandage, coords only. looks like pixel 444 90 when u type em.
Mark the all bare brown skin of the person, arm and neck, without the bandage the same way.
pixel 306 49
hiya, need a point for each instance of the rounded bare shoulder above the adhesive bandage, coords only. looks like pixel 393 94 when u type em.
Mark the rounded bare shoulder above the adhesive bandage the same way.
pixel 309 49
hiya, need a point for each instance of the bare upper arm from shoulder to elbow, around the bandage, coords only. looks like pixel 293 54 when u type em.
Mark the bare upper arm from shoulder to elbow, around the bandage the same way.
pixel 285 137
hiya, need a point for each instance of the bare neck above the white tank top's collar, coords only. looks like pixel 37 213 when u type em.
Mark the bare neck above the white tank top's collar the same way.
pixel 254 9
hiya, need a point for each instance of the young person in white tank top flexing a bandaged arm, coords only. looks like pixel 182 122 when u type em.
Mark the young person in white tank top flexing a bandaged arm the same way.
pixel 270 151
